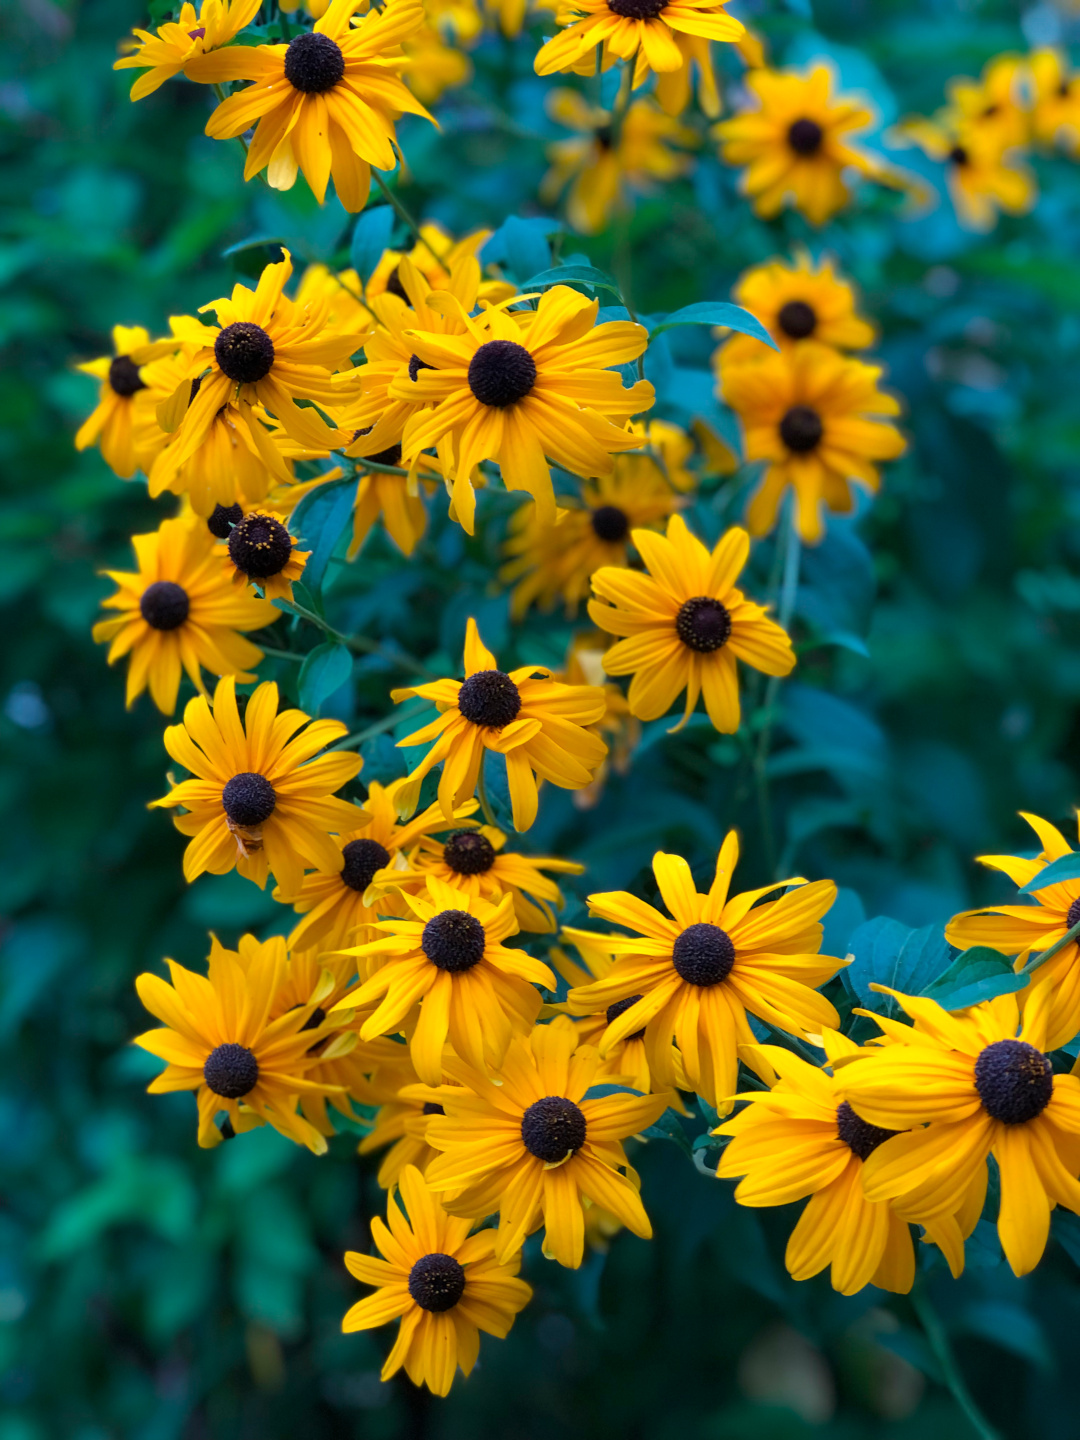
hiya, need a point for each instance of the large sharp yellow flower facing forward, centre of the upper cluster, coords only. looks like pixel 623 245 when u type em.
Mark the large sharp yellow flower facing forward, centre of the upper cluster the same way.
pixel 523 395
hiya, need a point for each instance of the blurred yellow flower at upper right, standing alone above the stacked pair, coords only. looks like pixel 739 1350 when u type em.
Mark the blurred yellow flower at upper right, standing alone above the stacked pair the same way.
pixel 796 145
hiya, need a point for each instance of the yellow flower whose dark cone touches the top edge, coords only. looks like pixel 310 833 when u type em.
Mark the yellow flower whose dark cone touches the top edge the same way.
pixel 647 32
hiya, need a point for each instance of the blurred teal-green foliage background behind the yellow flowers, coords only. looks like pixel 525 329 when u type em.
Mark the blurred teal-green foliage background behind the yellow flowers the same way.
pixel 155 1292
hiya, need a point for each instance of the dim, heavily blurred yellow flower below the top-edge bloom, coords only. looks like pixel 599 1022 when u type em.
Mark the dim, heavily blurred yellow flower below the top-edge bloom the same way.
pixel 603 163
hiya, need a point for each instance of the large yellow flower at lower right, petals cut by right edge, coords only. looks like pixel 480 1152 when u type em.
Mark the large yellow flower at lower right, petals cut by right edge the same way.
pixel 976 1084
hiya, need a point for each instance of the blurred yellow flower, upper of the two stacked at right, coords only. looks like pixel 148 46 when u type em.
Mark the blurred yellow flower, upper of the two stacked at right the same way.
pixel 801 302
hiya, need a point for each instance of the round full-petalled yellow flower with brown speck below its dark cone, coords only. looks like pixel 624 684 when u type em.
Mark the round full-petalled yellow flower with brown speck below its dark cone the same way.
pixel 261 798
